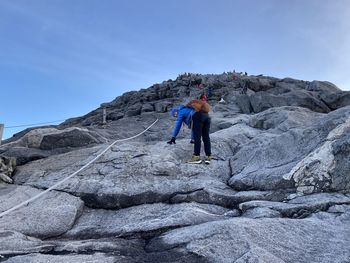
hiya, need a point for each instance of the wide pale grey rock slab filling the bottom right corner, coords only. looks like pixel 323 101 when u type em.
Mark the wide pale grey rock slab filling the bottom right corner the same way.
pixel 261 240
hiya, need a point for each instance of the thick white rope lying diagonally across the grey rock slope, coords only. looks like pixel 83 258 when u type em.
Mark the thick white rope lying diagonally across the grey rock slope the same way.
pixel 65 179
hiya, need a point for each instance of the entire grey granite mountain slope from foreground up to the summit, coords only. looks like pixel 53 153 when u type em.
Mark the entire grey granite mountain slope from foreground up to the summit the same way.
pixel 277 188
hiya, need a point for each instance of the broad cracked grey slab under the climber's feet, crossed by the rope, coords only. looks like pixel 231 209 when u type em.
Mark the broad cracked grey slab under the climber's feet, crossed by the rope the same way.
pixel 130 174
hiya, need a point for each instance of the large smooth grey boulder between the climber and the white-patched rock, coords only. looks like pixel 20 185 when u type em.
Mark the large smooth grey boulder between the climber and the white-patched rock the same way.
pixel 268 161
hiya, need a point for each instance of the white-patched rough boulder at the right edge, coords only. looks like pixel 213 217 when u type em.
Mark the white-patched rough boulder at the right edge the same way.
pixel 325 168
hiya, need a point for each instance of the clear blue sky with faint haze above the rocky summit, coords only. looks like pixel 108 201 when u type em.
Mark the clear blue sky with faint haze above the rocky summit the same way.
pixel 63 58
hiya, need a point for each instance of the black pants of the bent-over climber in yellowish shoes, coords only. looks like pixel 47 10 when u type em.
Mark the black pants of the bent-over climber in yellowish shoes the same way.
pixel 201 127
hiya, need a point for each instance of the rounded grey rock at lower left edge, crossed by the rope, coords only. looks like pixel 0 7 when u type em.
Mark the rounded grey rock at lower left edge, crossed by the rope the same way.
pixel 52 215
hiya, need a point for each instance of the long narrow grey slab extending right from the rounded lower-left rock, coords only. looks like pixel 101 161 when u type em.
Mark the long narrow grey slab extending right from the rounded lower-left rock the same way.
pixel 143 219
